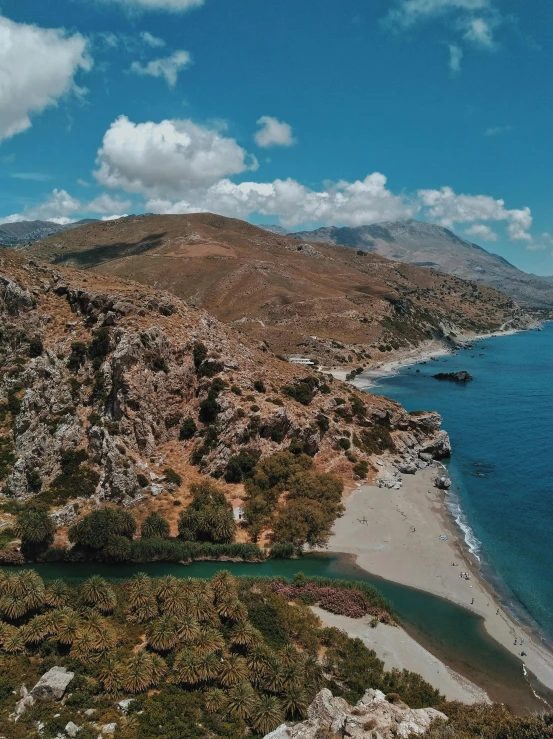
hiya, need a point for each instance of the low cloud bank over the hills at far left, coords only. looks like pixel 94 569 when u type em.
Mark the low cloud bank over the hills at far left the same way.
pixel 61 207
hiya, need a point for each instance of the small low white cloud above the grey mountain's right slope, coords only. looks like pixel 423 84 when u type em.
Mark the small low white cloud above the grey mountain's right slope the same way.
pixel 449 208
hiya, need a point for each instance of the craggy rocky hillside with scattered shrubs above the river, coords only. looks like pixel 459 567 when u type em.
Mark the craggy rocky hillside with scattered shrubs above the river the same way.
pixel 111 391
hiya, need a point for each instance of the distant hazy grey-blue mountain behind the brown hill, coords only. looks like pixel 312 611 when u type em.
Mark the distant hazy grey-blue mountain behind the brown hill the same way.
pixel 428 245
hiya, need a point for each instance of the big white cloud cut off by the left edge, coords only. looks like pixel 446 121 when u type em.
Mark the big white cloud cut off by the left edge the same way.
pixel 37 68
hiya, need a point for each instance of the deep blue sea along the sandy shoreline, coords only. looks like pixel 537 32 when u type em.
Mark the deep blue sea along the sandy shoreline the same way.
pixel 501 429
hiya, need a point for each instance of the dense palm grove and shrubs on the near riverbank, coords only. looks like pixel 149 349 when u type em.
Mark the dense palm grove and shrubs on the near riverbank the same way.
pixel 225 655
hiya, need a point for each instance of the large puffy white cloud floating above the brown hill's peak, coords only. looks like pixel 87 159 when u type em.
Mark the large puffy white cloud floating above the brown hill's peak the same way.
pixel 167 159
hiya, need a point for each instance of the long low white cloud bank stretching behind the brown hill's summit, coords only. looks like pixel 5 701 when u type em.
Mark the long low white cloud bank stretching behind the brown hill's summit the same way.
pixel 349 203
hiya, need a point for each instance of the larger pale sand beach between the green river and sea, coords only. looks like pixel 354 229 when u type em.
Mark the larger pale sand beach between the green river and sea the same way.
pixel 386 546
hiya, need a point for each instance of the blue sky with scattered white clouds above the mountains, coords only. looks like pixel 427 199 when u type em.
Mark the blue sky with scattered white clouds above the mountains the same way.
pixel 278 111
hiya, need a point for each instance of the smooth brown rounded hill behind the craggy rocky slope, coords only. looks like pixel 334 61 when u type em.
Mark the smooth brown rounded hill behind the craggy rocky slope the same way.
pixel 333 304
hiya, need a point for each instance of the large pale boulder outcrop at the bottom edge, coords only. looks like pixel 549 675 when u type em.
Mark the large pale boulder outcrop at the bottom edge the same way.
pixel 375 716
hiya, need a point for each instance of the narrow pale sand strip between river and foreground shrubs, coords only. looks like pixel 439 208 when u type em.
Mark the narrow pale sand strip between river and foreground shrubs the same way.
pixel 397 649
